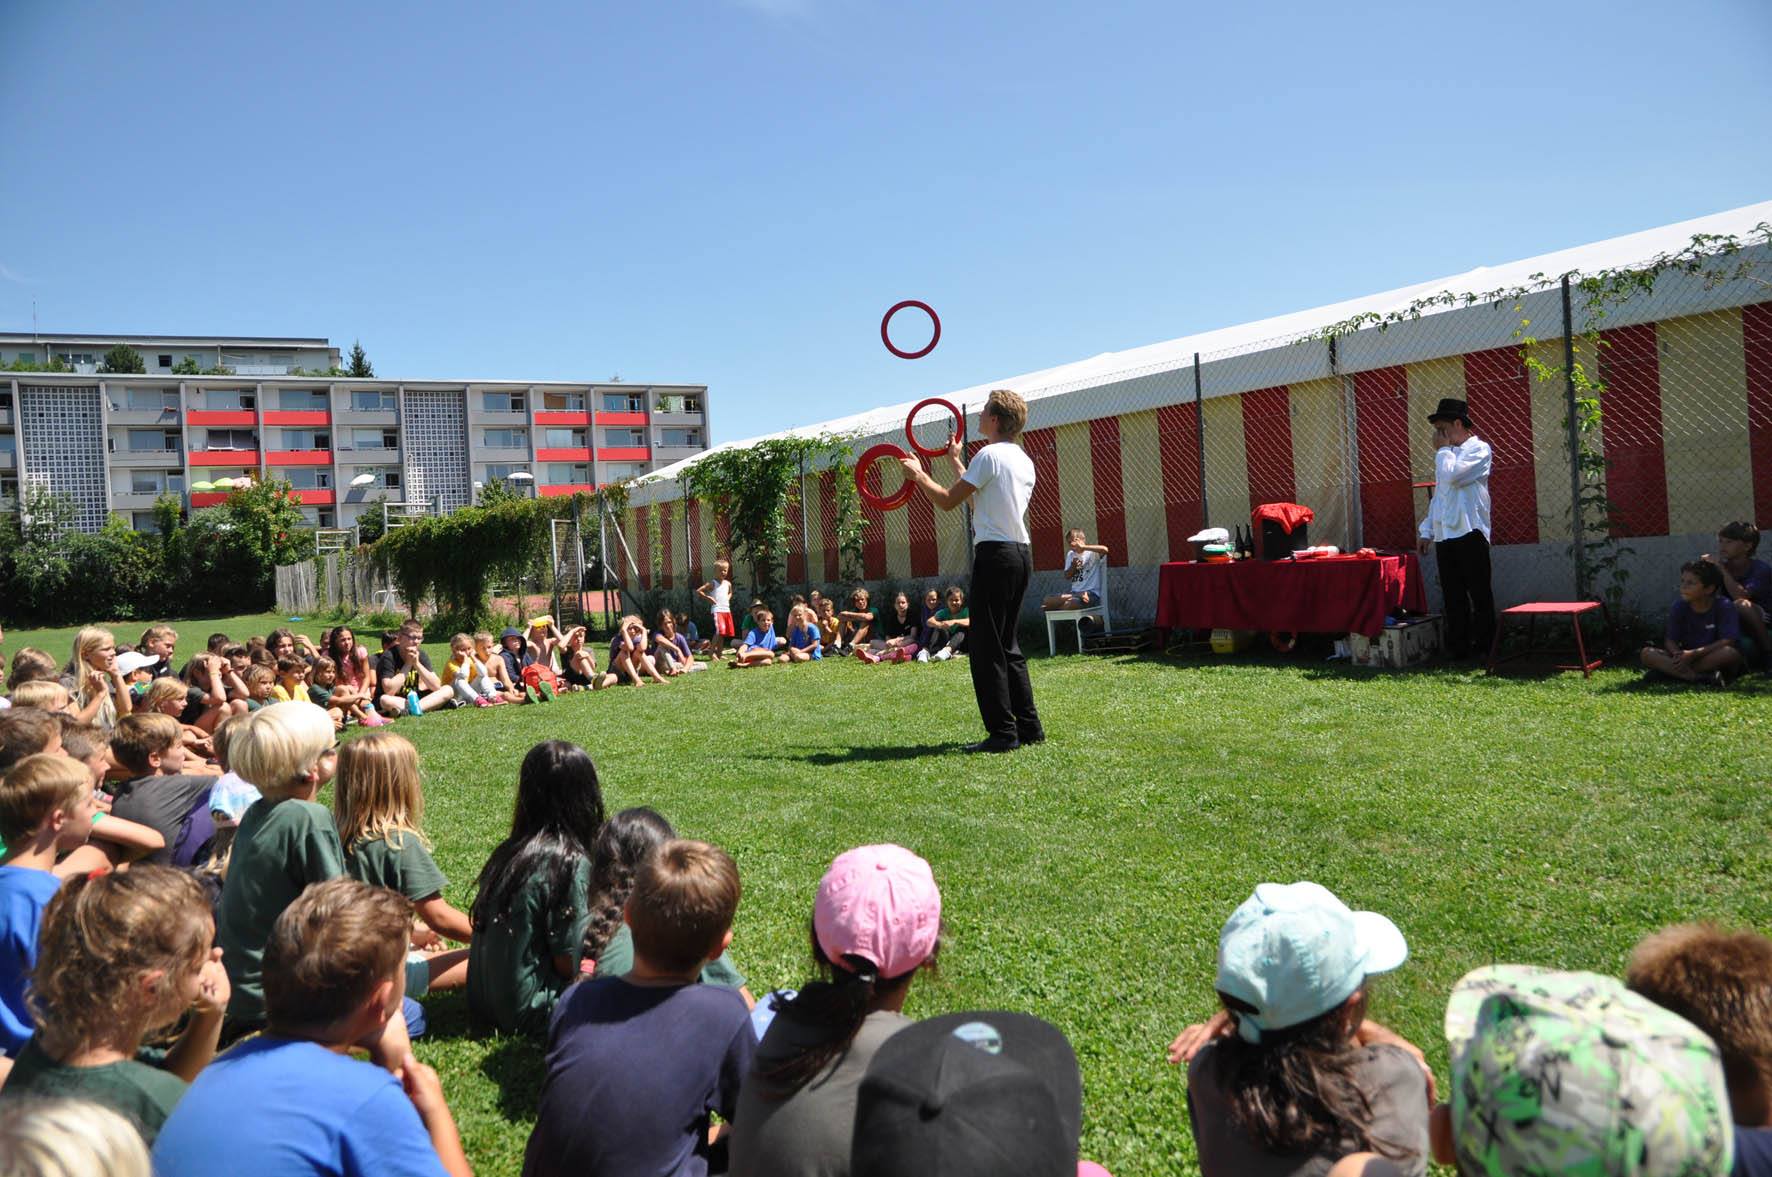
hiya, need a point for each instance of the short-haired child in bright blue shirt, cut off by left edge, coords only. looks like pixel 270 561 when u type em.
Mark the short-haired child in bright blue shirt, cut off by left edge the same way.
pixel 45 811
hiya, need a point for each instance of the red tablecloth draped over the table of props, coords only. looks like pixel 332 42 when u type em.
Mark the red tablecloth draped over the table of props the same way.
pixel 1330 595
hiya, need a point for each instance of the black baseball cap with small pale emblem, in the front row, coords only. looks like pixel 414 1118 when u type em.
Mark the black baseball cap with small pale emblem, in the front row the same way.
pixel 977 1095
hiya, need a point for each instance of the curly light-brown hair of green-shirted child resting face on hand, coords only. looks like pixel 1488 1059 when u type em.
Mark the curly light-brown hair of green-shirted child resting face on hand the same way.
pixel 100 935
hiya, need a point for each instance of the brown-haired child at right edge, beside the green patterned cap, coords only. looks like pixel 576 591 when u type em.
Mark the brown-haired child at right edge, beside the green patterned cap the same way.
pixel 1721 983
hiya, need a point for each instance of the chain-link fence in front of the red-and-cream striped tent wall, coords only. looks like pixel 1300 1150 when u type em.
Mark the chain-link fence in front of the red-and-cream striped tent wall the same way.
pixel 1629 416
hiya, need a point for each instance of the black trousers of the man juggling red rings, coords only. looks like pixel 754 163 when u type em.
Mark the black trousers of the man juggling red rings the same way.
pixel 1000 669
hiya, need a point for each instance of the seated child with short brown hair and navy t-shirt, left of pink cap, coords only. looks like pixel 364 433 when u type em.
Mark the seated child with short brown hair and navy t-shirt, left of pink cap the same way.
pixel 637 1064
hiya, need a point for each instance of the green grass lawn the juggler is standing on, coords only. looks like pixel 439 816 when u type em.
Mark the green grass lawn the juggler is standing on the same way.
pixel 1085 880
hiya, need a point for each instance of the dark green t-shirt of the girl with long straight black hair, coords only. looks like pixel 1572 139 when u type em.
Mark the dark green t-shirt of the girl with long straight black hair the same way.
pixel 511 978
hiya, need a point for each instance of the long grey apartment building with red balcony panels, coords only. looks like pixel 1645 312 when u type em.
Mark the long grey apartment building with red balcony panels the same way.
pixel 116 444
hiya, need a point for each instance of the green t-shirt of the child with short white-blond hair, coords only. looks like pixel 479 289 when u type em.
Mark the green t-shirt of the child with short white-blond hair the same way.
pixel 281 848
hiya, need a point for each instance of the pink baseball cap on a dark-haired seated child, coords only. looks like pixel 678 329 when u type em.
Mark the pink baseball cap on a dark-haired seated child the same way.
pixel 882 905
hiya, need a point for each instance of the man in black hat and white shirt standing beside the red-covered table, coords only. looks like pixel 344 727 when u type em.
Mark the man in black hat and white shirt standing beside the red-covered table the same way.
pixel 1457 526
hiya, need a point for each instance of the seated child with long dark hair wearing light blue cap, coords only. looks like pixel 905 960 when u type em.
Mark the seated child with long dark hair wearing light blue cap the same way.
pixel 1293 1077
